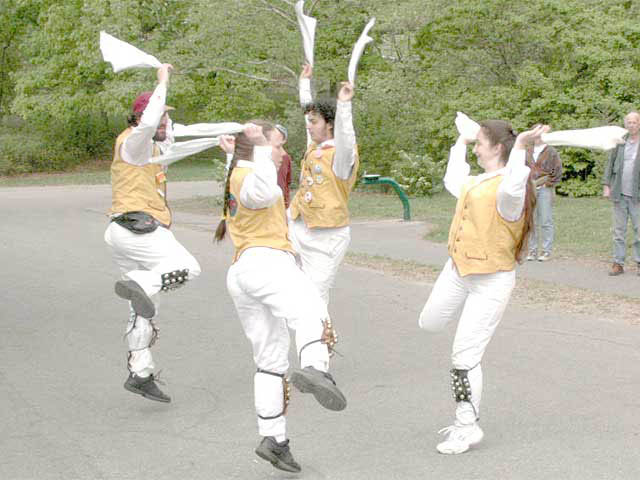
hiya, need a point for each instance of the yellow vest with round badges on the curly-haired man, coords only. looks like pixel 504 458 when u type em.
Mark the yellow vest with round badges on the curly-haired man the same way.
pixel 322 198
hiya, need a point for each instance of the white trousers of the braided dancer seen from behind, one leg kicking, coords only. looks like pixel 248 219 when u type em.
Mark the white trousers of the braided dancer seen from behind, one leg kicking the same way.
pixel 271 293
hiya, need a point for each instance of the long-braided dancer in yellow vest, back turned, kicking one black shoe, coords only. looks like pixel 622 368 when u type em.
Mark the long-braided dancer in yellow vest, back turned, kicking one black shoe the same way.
pixel 271 293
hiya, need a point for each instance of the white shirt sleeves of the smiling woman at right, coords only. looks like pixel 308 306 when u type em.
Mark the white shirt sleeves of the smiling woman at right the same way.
pixel 512 190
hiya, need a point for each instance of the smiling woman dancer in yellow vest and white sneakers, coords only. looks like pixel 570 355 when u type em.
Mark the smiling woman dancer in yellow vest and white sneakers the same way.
pixel 487 236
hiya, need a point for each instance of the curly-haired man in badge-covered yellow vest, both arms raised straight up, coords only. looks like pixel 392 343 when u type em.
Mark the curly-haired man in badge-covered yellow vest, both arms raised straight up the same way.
pixel 319 214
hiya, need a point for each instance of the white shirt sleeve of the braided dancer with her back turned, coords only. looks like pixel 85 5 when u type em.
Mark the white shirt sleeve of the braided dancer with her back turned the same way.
pixel 260 187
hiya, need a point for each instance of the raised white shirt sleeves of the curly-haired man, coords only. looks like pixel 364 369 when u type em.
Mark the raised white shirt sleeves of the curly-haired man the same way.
pixel 344 134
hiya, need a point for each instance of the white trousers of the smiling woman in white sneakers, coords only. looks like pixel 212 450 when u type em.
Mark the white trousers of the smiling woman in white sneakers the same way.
pixel 479 301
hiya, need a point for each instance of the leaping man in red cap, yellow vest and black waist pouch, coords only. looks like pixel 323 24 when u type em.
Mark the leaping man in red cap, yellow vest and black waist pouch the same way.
pixel 148 255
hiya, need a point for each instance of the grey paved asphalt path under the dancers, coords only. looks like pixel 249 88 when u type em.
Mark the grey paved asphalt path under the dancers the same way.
pixel 561 396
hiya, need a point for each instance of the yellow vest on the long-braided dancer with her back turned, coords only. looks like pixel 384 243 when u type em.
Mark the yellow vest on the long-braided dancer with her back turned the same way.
pixel 264 227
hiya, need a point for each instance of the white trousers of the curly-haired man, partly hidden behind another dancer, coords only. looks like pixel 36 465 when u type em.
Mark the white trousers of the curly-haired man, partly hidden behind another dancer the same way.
pixel 321 251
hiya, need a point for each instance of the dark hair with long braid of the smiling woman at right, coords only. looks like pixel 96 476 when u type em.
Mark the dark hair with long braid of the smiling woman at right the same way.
pixel 500 132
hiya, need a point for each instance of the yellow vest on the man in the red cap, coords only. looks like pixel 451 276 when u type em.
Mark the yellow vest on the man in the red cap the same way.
pixel 137 188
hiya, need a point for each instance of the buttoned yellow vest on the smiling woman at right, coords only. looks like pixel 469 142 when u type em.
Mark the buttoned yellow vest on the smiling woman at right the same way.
pixel 480 240
